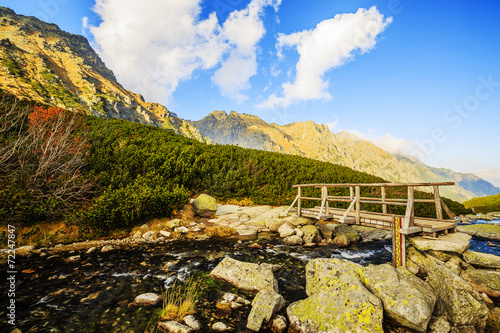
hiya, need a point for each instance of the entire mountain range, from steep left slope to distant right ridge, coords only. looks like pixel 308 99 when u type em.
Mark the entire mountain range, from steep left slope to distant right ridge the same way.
pixel 41 62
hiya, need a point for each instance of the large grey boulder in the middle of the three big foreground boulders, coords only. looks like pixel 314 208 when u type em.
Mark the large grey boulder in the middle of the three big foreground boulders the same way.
pixel 402 300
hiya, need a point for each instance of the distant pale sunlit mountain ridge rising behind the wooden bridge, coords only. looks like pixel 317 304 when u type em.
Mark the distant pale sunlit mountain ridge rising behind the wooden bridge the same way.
pixel 316 141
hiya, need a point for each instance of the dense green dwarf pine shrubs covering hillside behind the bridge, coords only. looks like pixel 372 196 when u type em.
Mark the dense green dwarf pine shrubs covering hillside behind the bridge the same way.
pixel 141 172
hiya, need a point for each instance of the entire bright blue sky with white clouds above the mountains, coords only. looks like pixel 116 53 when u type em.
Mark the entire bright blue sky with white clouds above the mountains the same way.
pixel 418 76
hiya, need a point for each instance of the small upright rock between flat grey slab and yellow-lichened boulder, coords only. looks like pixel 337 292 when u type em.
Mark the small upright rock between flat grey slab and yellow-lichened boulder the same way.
pixel 265 304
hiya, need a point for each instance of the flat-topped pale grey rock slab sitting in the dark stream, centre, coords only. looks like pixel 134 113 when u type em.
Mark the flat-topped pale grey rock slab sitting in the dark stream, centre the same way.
pixel 246 276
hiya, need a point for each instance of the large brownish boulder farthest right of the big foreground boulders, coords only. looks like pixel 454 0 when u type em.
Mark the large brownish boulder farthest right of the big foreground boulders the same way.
pixel 456 299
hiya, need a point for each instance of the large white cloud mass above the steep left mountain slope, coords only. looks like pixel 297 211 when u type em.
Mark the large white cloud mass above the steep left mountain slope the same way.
pixel 153 45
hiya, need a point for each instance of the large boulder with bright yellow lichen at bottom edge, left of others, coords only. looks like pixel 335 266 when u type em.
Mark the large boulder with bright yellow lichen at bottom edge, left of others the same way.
pixel 344 306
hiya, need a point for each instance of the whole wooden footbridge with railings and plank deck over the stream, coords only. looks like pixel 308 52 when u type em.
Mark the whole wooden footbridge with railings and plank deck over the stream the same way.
pixel 355 214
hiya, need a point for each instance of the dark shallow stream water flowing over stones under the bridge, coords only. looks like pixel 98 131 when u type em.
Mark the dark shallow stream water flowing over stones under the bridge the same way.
pixel 94 294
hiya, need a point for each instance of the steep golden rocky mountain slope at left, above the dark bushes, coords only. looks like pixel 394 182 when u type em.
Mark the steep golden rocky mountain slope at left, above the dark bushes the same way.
pixel 46 64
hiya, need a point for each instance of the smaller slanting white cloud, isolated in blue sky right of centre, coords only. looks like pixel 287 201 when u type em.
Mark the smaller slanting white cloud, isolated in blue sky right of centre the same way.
pixel 331 44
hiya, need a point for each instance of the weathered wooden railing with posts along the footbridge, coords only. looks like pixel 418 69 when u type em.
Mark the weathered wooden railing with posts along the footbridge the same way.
pixel 356 200
